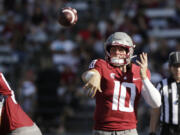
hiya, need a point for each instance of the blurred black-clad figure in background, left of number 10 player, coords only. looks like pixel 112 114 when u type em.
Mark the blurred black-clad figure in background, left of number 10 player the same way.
pixel 47 82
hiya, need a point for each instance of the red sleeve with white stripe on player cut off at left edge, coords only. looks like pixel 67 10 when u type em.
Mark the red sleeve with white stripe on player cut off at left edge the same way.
pixel 4 86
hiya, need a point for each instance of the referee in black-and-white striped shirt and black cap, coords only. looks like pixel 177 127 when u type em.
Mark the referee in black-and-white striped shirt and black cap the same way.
pixel 169 112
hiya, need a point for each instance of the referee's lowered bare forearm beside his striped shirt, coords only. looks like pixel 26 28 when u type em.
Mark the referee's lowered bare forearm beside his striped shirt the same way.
pixel 154 120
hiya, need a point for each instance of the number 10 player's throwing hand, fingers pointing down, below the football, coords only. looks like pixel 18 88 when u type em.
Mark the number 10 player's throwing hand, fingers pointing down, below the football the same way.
pixel 93 85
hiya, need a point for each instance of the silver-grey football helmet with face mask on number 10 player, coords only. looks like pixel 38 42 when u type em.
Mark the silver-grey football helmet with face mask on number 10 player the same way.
pixel 119 39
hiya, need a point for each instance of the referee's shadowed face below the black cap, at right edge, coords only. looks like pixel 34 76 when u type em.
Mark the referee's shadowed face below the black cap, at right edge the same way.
pixel 175 69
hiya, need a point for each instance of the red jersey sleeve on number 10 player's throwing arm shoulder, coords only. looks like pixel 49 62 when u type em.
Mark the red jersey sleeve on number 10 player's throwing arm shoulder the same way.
pixel 96 64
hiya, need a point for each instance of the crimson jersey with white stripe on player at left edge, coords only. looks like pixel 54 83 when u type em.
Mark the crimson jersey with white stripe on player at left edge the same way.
pixel 12 115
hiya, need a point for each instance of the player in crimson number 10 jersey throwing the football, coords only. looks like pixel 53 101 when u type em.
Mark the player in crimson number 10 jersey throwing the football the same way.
pixel 117 85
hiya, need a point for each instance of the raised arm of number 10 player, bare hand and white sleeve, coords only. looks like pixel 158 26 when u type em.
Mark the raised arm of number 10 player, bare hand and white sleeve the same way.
pixel 149 92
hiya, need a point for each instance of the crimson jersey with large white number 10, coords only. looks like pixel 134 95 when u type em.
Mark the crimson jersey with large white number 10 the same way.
pixel 116 106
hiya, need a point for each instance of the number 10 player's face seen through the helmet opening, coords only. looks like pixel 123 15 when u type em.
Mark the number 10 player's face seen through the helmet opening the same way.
pixel 118 51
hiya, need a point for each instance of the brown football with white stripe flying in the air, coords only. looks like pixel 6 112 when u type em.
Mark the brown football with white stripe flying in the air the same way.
pixel 67 17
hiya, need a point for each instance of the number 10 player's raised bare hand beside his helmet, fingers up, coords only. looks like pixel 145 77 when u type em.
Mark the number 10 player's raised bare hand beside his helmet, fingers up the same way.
pixel 143 63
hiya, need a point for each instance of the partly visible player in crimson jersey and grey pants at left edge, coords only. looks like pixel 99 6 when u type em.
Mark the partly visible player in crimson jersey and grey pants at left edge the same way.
pixel 11 114
